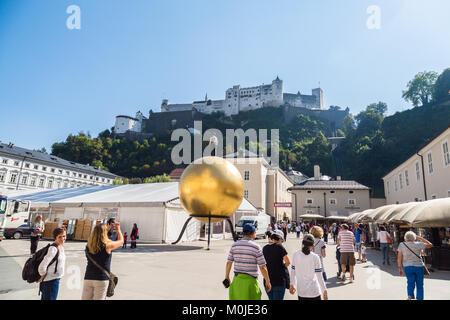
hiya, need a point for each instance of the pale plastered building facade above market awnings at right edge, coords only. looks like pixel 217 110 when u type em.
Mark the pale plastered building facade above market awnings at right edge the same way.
pixel 424 176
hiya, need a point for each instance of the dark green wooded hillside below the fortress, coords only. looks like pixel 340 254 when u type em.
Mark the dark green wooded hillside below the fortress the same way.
pixel 374 144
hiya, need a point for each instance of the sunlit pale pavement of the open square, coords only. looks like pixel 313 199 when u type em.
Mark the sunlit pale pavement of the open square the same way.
pixel 188 271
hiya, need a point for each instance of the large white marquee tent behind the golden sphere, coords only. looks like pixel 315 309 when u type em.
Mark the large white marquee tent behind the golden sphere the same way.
pixel 154 207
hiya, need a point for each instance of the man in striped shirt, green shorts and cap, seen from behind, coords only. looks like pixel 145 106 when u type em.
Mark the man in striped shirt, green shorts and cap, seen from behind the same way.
pixel 247 257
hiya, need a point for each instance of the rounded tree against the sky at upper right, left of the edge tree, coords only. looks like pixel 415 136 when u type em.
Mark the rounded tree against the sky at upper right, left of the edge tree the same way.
pixel 420 89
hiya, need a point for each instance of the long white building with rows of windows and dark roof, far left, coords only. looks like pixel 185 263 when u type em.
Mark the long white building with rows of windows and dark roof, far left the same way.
pixel 24 169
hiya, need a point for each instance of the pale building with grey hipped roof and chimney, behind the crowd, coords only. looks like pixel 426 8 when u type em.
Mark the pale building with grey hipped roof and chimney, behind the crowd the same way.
pixel 329 197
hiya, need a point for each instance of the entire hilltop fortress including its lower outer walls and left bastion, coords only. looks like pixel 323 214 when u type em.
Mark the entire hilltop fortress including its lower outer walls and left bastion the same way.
pixel 237 99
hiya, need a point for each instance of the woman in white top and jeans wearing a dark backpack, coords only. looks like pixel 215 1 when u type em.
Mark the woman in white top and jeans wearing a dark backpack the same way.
pixel 51 271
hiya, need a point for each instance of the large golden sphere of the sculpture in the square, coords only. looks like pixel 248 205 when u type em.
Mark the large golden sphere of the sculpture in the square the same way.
pixel 211 186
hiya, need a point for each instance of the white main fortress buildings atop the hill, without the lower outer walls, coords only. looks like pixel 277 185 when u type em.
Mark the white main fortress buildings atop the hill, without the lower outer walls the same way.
pixel 239 99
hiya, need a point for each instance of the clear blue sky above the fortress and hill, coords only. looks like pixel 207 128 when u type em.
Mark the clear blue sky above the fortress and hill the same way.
pixel 129 55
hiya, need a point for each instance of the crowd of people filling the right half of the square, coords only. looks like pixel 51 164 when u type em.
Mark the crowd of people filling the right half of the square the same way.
pixel 308 278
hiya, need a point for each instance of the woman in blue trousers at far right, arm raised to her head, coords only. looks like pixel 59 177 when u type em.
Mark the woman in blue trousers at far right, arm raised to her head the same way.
pixel 410 263
